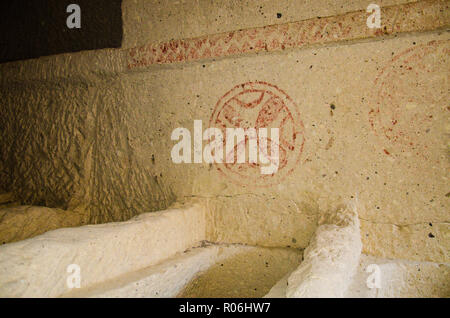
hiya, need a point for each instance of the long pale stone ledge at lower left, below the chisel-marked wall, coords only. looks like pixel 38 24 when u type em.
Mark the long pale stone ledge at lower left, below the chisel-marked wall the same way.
pixel 37 267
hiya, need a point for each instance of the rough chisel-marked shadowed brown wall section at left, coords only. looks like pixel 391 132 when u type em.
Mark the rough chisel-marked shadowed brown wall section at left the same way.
pixel 70 148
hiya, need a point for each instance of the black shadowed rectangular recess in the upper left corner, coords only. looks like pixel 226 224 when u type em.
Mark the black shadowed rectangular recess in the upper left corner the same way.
pixel 33 28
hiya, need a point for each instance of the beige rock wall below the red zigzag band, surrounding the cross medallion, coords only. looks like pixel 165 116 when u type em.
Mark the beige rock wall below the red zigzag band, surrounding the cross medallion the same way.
pixel 83 133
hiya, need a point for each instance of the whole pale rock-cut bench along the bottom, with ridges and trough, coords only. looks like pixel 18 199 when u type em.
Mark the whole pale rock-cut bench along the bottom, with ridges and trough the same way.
pixel 148 257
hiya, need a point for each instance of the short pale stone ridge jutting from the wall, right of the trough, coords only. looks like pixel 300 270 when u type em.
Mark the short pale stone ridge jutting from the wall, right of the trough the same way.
pixel 332 257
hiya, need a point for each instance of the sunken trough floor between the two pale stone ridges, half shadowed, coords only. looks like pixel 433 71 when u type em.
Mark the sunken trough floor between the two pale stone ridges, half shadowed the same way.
pixel 207 271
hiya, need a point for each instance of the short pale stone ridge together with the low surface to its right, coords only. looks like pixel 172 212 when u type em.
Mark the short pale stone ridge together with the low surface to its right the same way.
pixel 332 267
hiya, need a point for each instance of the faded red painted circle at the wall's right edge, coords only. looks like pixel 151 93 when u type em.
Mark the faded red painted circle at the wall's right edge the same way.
pixel 406 102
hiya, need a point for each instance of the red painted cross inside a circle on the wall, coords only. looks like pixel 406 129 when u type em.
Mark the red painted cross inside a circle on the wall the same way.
pixel 260 105
